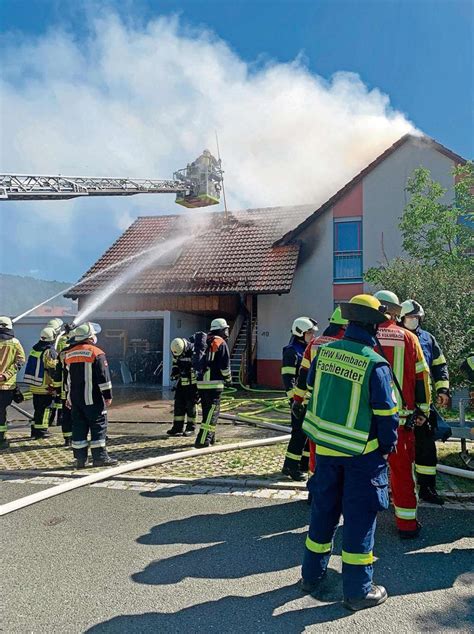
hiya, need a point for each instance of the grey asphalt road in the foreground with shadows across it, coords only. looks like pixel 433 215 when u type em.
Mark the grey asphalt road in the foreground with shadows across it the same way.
pixel 102 560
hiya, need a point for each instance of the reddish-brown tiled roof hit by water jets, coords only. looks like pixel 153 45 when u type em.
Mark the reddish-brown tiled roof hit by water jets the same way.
pixel 225 258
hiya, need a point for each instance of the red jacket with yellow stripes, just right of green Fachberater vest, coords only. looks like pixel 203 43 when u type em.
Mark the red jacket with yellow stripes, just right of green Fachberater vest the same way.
pixel 403 351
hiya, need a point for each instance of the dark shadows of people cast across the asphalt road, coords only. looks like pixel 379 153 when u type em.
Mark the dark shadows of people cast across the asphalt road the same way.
pixel 270 538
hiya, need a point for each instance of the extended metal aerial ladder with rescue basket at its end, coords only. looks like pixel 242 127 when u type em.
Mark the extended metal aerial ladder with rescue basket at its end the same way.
pixel 199 184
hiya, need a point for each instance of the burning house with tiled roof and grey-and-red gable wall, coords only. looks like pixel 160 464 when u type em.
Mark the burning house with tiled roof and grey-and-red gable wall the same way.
pixel 259 268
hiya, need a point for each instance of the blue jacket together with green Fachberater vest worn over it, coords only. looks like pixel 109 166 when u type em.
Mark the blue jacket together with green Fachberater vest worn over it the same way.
pixel 352 409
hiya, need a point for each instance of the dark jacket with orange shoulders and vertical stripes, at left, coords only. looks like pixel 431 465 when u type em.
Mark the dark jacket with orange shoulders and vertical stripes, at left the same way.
pixel 88 375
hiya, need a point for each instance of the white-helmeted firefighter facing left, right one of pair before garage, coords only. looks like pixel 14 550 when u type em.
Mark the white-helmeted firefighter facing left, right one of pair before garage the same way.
pixel 213 374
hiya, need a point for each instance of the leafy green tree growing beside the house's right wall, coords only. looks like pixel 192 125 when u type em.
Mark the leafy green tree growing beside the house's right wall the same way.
pixel 438 268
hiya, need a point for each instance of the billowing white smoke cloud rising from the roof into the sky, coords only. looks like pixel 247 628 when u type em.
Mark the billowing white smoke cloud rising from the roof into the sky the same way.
pixel 145 100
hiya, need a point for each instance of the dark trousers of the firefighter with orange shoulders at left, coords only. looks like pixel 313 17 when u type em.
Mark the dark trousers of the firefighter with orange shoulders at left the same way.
pixel 85 419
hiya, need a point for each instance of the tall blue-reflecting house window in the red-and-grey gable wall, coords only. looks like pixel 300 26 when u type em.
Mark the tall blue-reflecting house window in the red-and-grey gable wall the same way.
pixel 347 250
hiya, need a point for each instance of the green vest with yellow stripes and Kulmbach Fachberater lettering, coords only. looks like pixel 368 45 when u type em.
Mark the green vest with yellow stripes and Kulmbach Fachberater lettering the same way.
pixel 339 415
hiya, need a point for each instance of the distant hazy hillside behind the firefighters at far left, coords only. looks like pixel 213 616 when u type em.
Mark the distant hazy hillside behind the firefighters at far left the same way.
pixel 17 293
